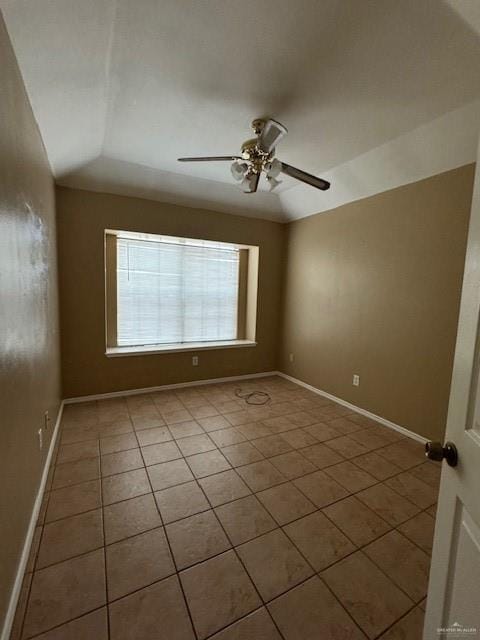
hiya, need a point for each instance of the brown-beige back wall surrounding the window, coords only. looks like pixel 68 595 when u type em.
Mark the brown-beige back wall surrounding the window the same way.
pixel 82 218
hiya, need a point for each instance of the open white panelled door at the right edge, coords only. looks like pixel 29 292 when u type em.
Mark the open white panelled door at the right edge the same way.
pixel 453 607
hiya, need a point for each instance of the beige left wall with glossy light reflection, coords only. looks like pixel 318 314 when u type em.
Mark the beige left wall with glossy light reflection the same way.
pixel 29 354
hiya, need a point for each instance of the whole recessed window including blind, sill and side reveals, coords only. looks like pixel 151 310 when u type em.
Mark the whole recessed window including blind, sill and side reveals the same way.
pixel 168 293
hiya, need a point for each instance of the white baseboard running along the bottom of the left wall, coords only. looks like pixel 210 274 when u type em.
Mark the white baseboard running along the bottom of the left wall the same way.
pixel 17 585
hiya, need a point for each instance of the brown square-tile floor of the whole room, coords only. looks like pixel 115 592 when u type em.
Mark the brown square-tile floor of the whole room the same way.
pixel 189 514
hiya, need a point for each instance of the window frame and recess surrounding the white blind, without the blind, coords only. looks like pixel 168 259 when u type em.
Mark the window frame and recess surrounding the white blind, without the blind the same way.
pixel 246 307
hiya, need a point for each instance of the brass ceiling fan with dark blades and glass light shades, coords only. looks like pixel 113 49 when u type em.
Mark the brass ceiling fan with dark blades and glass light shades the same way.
pixel 257 155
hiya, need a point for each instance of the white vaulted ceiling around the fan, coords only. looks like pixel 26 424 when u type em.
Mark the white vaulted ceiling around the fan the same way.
pixel 369 91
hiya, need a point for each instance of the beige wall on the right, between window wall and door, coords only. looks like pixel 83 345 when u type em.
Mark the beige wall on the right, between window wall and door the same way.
pixel 373 288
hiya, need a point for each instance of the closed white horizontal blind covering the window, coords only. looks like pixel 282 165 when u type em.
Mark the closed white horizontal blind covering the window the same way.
pixel 176 291
